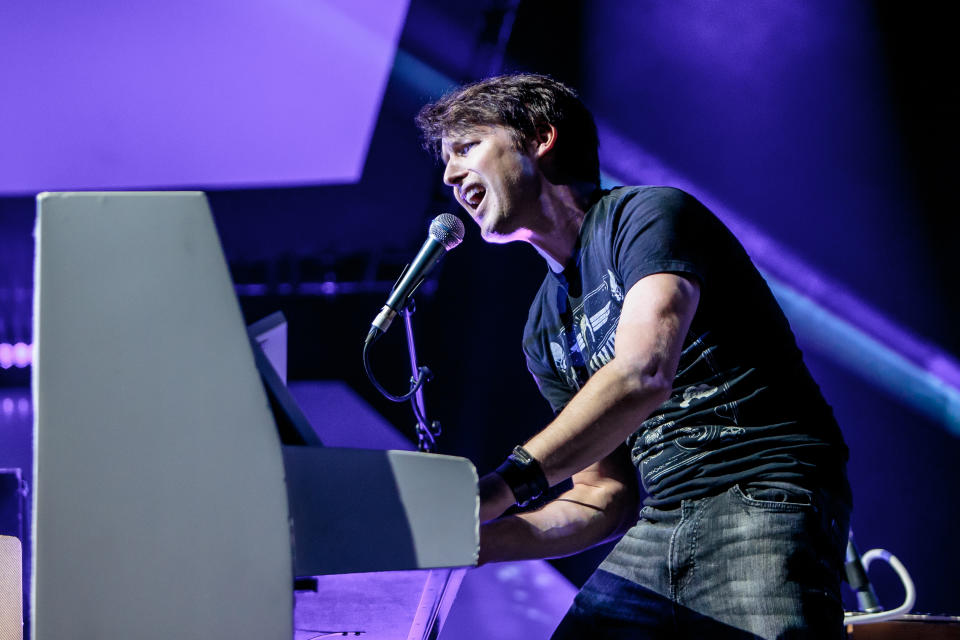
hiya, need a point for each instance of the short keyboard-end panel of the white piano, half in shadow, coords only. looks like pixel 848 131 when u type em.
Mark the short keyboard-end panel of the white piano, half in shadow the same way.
pixel 357 510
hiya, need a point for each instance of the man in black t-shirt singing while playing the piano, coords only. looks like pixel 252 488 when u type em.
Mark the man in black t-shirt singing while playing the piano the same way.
pixel 666 359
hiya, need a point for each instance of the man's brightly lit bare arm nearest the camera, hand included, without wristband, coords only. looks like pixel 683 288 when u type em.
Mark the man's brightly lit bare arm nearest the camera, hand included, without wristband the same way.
pixel 655 318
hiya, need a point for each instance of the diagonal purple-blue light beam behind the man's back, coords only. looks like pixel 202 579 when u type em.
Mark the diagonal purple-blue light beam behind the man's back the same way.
pixel 824 314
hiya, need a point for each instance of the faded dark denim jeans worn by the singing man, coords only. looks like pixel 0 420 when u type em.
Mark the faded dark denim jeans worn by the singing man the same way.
pixel 761 560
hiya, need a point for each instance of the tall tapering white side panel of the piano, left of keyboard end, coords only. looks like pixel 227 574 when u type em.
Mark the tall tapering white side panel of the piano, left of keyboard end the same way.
pixel 160 509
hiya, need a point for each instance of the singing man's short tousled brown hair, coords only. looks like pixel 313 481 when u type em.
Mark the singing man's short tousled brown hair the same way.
pixel 521 103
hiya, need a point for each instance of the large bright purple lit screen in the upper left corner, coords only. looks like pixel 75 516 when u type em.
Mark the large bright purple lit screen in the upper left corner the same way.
pixel 214 94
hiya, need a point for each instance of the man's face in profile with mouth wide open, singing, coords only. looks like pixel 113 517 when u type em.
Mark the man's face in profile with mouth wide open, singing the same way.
pixel 497 184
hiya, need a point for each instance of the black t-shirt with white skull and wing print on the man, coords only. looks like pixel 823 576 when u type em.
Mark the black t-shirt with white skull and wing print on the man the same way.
pixel 743 405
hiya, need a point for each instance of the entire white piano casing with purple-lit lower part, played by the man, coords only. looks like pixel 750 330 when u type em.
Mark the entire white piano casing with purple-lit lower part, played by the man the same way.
pixel 164 503
